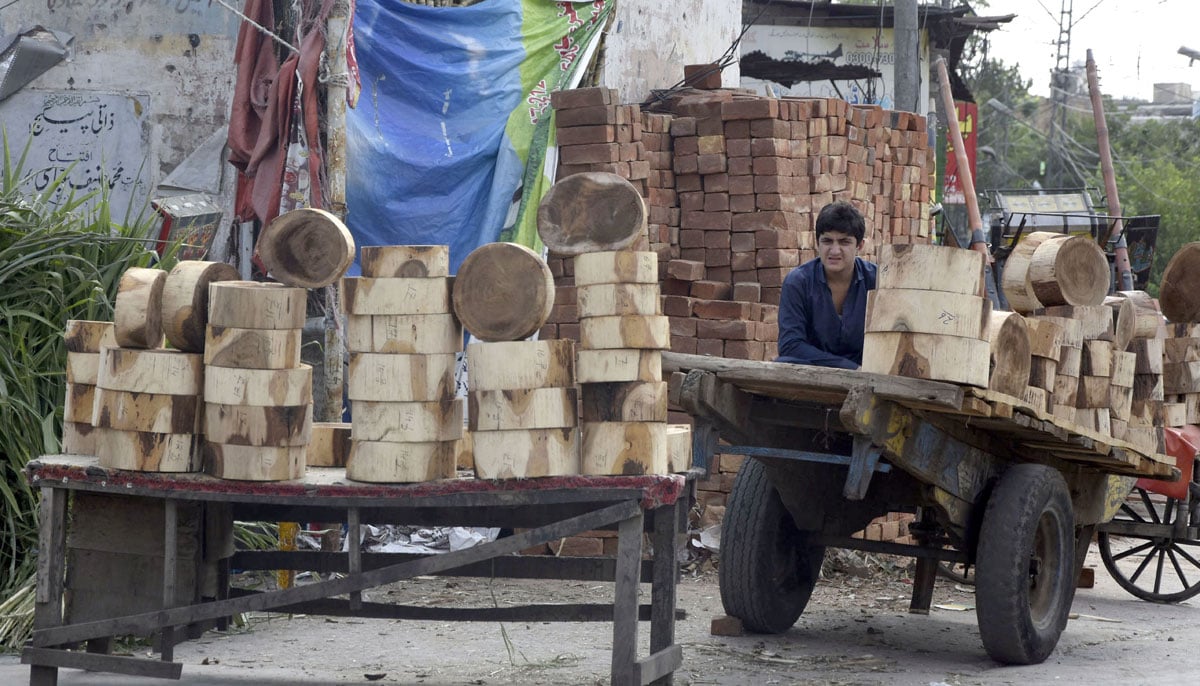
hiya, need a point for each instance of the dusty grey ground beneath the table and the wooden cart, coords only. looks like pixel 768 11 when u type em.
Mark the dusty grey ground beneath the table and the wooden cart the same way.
pixel 856 631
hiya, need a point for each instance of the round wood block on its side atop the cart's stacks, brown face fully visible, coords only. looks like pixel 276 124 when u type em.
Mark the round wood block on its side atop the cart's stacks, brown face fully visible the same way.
pixel 1070 270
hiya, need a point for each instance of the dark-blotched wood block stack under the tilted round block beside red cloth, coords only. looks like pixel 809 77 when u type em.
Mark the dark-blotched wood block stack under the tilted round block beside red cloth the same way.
pixel 257 394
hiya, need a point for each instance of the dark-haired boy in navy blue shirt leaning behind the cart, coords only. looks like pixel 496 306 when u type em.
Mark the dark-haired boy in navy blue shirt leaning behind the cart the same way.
pixel 823 309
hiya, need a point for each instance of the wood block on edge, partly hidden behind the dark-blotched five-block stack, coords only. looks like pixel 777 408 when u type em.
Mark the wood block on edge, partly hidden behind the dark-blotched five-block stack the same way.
pixel 185 302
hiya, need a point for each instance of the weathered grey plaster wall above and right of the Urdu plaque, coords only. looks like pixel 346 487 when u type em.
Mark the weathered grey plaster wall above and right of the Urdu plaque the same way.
pixel 176 57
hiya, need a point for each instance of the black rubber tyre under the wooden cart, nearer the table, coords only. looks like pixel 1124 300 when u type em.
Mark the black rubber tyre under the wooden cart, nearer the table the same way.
pixel 767 569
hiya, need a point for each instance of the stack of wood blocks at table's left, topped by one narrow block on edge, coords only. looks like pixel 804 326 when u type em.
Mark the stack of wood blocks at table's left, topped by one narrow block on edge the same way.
pixel 147 412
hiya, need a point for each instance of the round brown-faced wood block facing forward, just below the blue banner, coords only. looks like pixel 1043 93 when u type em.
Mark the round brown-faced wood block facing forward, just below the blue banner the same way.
pixel 503 292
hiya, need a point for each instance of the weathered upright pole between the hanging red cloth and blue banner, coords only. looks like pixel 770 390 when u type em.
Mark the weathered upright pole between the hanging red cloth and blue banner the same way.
pixel 335 166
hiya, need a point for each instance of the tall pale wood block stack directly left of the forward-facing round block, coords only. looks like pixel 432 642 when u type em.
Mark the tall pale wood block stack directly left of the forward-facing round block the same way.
pixel 403 338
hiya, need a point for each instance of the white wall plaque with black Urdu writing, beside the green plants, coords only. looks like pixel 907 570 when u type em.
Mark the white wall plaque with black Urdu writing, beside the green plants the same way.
pixel 93 141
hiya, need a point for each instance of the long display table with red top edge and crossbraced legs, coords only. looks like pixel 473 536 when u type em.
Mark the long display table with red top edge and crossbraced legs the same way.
pixel 542 509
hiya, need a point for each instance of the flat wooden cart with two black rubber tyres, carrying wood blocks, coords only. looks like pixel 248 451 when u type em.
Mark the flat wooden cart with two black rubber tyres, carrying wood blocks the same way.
pixel 994 484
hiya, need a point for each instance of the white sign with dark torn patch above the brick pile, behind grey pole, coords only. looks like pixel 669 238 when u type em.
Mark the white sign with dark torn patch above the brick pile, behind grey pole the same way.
pixel 839 49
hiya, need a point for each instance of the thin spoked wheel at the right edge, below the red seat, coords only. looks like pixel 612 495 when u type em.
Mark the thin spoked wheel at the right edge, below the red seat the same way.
pixel 1154 565
